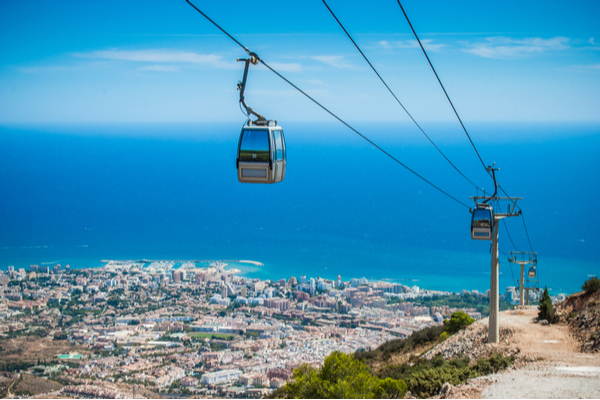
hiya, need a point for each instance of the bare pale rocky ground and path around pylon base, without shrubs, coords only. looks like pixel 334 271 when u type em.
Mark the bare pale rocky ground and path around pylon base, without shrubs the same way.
pixel 549 362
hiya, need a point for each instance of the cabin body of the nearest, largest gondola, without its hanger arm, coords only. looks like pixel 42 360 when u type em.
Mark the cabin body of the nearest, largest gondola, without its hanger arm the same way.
pixel 261 154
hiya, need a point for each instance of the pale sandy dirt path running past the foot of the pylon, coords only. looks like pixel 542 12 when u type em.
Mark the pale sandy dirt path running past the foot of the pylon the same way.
pixel 549 364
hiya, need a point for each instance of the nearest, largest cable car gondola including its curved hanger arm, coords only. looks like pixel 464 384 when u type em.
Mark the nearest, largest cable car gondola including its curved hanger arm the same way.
pixel 261 155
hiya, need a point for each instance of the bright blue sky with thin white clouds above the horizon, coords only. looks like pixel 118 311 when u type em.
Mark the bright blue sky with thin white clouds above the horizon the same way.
pixel 161 61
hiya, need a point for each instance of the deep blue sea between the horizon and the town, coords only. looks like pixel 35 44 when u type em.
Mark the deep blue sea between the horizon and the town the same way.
pixel 78 194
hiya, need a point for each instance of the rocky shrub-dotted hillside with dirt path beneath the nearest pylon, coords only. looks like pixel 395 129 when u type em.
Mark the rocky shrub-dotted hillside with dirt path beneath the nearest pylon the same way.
pixel 544 361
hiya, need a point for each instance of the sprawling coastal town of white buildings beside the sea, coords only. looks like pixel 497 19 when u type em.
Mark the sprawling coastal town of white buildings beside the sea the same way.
pixel 188 329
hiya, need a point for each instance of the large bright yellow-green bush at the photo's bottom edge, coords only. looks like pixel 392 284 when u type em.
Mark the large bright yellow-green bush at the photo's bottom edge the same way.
pixel 341 377
